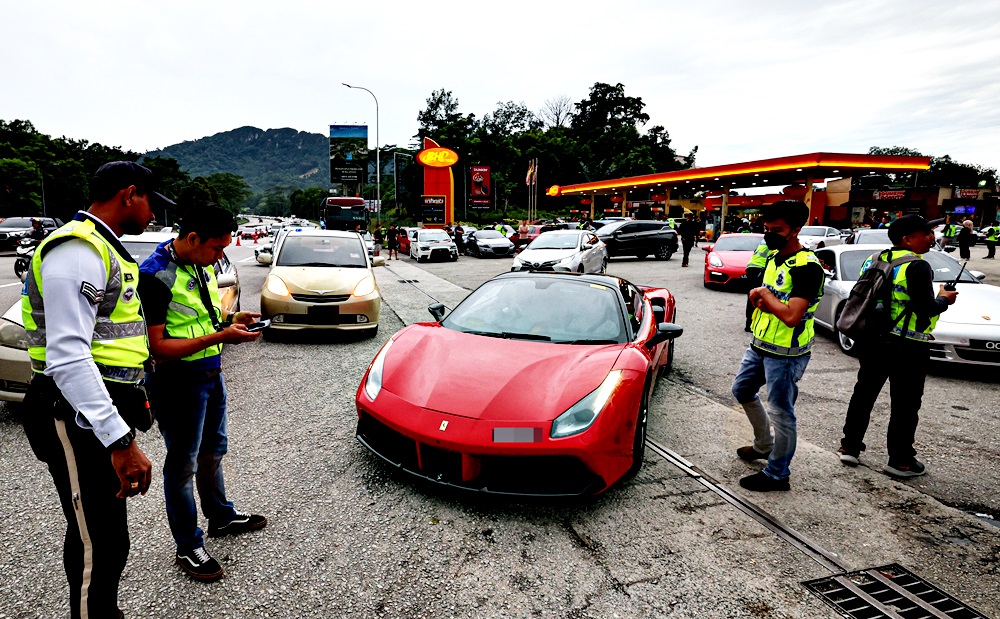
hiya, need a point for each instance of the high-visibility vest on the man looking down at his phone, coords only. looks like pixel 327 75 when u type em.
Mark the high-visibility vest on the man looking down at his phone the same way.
pixel 187 315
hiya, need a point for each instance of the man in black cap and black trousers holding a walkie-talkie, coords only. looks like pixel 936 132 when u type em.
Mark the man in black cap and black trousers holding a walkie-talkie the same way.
pixel 903 356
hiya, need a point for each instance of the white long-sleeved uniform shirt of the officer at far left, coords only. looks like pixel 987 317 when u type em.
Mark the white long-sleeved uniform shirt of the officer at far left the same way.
pixel 69 330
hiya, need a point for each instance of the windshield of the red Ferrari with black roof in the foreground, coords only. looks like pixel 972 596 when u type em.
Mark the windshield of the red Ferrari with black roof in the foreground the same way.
pixel 554 309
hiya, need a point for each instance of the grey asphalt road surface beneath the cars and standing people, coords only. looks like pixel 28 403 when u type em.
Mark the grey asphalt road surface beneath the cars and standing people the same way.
pixel 349 537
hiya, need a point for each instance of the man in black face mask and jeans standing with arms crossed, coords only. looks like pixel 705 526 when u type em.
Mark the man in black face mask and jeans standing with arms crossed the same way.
pixel 782 342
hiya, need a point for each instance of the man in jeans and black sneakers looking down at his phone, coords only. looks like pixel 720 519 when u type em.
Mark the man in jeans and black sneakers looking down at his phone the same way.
pixel 180 299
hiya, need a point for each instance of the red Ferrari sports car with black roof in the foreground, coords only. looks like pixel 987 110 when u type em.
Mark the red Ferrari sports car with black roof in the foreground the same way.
pixel 536 384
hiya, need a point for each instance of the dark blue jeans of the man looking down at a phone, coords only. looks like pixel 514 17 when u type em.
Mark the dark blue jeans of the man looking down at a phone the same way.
pixel 190 410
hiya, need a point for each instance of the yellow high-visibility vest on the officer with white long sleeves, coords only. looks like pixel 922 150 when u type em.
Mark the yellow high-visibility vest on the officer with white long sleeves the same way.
pixel 119 342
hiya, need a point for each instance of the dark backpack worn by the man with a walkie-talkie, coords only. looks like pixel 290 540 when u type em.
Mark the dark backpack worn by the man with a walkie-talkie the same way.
pixel 866 314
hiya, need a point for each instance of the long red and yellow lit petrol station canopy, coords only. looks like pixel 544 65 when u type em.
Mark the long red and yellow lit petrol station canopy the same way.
pixel 778 172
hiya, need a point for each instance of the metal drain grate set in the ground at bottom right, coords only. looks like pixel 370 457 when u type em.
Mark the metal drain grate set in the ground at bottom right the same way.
pixel 888 591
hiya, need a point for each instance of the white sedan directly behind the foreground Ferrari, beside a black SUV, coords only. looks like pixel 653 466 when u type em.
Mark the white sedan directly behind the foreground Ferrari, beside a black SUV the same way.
pixel 579 251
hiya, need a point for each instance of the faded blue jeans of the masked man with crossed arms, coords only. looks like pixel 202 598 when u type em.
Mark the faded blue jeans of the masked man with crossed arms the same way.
pixel 781 375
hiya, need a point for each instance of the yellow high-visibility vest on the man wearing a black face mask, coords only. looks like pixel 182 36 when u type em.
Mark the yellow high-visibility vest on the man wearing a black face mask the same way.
pixel 769 332
